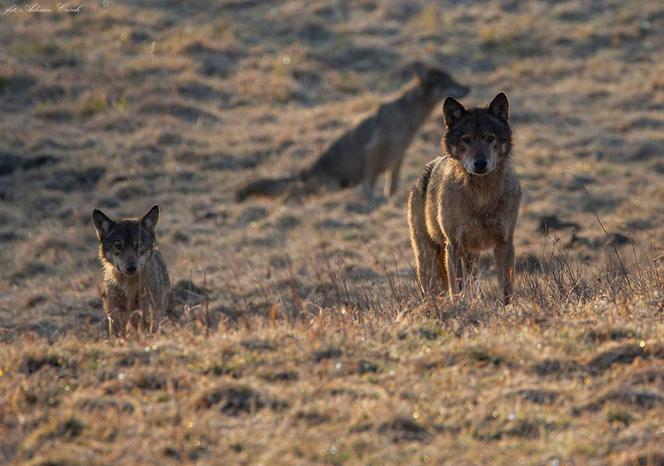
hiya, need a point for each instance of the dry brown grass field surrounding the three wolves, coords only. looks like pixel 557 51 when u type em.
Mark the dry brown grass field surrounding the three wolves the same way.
pixel 301 336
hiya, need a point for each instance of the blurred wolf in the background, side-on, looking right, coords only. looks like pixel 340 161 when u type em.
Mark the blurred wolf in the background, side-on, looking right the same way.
pixel 376 145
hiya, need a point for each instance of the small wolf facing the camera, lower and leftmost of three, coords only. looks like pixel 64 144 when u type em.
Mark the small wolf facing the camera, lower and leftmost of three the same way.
pixel 136 283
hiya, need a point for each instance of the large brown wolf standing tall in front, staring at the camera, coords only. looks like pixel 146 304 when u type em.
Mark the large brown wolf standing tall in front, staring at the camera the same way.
pixel 467 201
